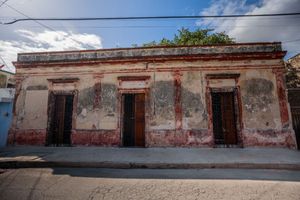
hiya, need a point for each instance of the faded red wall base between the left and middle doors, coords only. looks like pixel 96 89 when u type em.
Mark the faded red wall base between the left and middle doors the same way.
pixel 95 138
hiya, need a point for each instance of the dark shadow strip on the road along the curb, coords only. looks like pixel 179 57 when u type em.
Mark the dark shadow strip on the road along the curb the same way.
pixel 231 174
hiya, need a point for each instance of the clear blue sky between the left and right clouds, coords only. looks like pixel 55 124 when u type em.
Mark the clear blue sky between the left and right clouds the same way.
pixel 113 33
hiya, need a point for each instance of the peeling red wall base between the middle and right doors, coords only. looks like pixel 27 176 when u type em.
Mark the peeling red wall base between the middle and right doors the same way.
pixel 182 138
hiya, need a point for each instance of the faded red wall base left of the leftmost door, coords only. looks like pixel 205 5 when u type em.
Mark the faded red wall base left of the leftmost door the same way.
pixel 27 137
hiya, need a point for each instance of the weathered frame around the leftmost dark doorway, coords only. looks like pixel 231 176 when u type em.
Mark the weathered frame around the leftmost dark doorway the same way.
pixel 51 108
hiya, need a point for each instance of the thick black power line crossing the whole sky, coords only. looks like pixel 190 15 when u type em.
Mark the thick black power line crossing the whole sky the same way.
pixel 148 17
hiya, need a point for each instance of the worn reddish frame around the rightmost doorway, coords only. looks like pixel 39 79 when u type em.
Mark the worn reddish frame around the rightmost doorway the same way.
pixel 237 111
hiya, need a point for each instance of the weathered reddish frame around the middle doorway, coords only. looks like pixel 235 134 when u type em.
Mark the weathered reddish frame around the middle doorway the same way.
pixel 144 91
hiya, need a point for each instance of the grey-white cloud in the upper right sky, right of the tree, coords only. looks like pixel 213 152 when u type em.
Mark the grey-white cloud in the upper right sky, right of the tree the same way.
pixel 256 29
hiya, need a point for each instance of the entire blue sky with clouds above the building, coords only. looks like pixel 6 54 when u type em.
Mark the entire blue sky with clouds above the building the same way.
pixel 65 35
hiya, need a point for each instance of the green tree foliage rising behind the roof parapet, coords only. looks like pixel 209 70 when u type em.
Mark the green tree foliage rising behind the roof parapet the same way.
pixel 198 37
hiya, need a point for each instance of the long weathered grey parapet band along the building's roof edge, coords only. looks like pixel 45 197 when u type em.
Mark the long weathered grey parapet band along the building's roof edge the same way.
pixel 144 52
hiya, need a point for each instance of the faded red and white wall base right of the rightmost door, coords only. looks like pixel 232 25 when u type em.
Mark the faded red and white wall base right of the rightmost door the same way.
pixel 269 138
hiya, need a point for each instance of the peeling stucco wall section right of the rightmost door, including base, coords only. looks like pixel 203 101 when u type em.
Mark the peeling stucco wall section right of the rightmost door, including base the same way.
pixel 262 117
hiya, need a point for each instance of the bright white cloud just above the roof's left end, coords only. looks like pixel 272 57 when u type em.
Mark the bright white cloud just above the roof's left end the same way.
pixel 46 41
